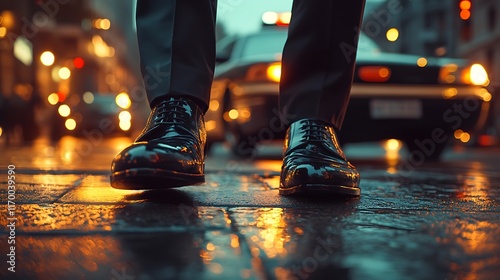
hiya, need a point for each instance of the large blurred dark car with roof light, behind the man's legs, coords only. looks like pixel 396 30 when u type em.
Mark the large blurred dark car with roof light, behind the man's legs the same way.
pixel 421 101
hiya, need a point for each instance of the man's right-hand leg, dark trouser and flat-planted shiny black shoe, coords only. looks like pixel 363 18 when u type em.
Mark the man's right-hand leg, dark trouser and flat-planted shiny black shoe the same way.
pixel 314 93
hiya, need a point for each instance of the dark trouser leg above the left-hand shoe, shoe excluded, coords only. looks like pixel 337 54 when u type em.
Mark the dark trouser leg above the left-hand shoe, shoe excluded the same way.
pixel 177 47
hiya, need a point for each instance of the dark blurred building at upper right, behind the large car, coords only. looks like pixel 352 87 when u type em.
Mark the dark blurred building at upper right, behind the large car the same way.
pixel 453 28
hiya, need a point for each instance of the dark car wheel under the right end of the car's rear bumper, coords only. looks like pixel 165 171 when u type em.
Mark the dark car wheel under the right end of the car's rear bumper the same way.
pixel 420 152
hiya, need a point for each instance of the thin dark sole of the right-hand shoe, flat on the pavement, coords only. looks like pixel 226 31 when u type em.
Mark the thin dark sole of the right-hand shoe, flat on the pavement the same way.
pixel 318 189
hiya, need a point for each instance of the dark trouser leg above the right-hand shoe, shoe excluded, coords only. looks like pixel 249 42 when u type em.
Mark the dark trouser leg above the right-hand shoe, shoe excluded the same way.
pixel 318 60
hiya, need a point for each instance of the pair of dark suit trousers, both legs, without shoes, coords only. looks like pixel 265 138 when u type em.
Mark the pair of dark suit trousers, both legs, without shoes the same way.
pixel 177 49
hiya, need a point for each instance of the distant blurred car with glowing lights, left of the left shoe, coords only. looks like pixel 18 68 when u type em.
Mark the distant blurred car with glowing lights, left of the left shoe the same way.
pixel 80 114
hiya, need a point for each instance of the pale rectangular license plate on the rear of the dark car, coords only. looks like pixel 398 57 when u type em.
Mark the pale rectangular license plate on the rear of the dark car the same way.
pixel 395 109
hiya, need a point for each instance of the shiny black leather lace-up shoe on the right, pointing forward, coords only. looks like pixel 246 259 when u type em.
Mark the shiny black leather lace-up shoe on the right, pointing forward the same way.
pixel 313 162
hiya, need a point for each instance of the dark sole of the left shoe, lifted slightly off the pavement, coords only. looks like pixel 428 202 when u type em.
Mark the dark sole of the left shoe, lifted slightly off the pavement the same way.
pixel 152 179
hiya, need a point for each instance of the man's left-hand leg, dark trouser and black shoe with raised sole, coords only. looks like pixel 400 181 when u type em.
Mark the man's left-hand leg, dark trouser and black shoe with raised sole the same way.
pixel 177 49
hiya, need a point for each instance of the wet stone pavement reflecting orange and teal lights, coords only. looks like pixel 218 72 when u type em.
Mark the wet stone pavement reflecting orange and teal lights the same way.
pixel 432 221
